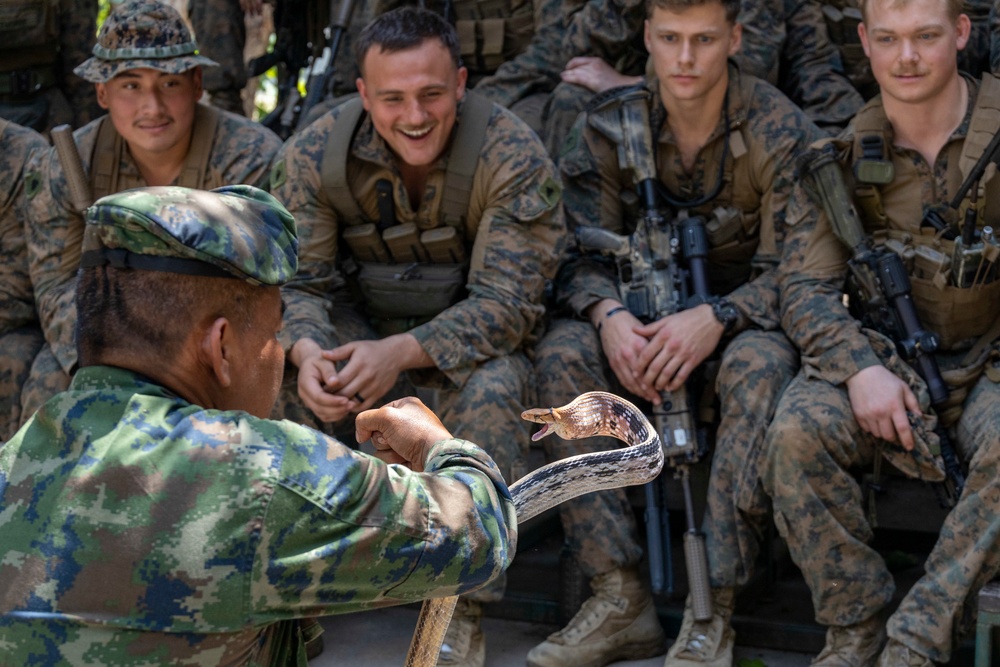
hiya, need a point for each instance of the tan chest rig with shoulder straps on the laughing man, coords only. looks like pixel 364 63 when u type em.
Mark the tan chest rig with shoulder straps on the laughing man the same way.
pixel 405 276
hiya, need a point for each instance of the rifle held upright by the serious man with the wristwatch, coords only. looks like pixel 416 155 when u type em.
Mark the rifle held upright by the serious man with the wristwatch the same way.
pixel 661 269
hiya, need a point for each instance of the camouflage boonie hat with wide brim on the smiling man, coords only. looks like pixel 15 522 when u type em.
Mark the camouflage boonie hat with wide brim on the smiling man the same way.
pixel 142 33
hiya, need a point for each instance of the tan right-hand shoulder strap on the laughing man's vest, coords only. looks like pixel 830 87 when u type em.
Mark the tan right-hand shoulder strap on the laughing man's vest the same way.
pixel 464 158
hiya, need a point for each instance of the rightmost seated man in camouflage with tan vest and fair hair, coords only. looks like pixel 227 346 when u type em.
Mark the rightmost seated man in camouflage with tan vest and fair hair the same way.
pixel 856 400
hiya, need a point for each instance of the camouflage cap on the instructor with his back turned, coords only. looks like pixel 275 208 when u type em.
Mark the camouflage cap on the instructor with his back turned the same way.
pixel 237 231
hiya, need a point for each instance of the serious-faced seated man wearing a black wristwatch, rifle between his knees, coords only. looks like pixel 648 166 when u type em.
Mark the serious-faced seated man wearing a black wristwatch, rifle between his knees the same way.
pixel 724 143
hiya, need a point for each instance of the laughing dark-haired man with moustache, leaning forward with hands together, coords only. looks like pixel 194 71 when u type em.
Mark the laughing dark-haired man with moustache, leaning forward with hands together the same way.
pixel 464 336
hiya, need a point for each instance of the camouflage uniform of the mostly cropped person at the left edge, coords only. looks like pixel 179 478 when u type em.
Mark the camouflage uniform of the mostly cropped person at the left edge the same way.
pixel 20 334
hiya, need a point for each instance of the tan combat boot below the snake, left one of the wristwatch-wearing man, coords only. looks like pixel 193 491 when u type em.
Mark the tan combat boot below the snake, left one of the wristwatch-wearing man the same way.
pixel 618 622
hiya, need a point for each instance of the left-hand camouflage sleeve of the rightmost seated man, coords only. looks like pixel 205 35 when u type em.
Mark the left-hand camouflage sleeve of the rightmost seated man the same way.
pixel 811 275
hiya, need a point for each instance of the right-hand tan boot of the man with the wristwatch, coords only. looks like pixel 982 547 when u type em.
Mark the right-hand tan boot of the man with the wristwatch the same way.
pixel 706 643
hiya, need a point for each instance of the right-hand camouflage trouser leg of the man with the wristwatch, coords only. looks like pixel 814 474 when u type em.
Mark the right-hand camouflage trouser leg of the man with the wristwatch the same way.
pixel 755 369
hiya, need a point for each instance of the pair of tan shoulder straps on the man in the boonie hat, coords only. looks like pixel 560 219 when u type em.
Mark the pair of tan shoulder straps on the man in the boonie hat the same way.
pixel 109 148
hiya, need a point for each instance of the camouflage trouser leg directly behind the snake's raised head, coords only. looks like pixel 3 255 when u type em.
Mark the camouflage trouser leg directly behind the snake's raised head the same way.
pixel 599 527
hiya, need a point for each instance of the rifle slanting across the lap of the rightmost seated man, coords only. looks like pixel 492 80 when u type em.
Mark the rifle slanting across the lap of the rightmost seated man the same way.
pixel 885 290
